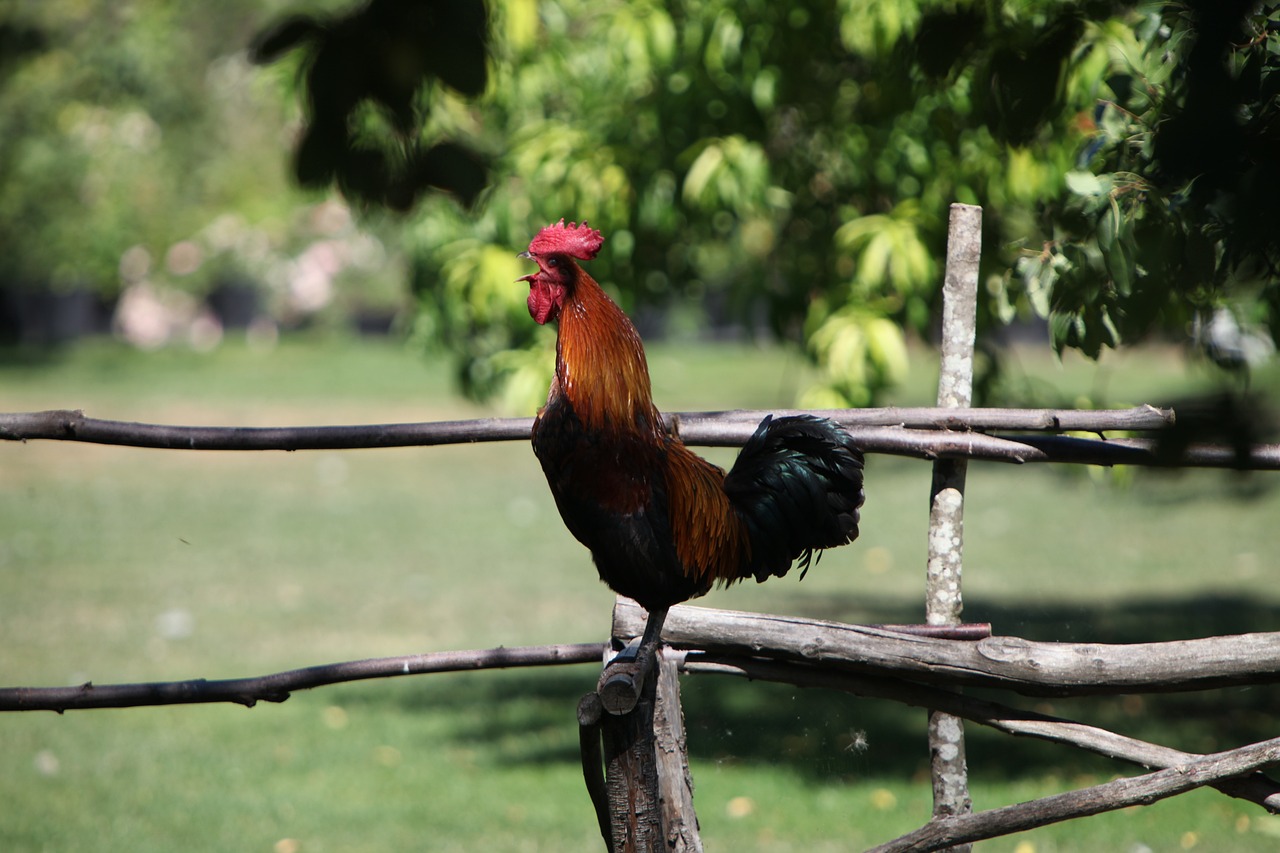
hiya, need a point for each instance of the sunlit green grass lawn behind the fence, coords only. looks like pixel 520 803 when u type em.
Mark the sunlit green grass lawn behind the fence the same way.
pixel 124 565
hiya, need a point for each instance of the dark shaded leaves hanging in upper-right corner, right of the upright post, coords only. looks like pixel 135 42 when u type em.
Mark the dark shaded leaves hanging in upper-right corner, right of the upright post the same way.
pixel 1169 220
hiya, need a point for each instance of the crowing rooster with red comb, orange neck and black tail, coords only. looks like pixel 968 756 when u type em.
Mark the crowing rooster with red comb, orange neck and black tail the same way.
pixel 664 526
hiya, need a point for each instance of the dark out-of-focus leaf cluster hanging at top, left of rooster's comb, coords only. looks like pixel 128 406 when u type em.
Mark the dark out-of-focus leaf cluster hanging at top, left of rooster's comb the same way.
pixel 386 54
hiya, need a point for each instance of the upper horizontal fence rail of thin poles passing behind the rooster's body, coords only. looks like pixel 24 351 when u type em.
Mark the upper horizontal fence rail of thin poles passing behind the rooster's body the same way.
pixel 922 434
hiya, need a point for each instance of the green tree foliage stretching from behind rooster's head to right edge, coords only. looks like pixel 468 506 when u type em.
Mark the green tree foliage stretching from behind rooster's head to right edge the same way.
pixel 789 168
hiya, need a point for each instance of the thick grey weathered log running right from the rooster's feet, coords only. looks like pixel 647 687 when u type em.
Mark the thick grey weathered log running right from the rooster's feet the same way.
pixel 1009 663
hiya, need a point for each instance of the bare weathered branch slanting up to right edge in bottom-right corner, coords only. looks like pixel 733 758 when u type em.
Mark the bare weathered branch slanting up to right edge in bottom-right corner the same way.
pixel 1121 793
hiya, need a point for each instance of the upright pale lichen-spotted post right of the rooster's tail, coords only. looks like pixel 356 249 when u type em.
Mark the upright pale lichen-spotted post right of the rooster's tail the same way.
pixel 944 600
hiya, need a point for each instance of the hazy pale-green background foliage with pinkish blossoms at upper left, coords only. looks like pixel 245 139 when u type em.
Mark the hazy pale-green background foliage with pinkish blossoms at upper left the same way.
pixel 143 176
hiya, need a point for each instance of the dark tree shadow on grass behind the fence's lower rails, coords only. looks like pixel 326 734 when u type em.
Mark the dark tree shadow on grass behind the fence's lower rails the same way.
pixel 824 736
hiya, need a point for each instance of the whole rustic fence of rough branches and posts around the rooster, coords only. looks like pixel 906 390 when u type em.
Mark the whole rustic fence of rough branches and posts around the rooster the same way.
pixel 636 764
